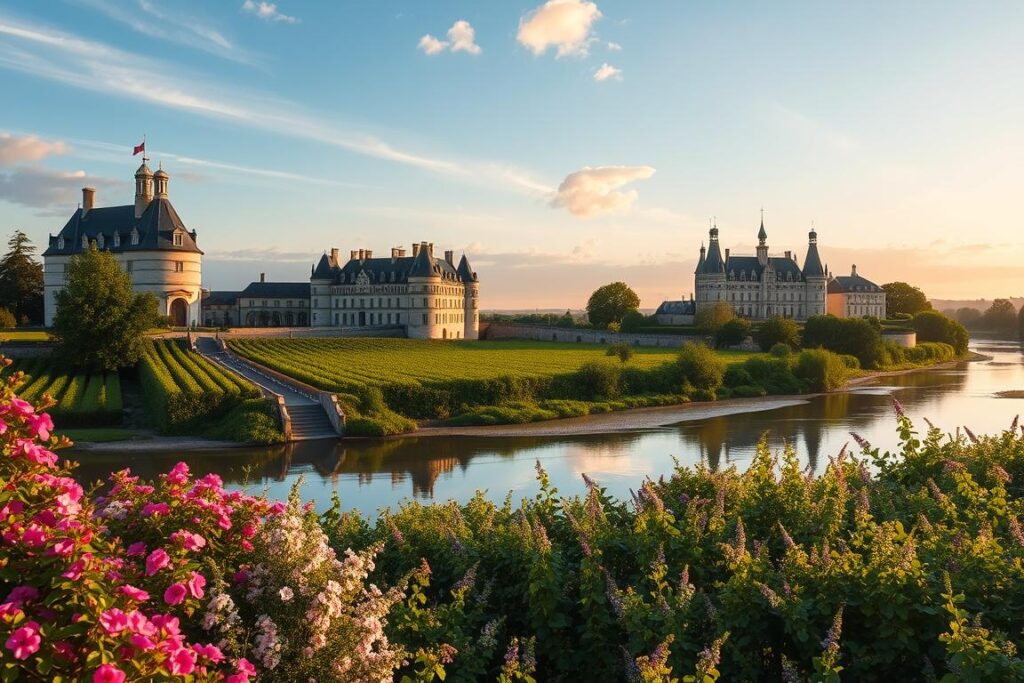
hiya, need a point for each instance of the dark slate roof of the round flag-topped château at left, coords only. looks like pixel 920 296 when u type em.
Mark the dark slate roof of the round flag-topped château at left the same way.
pixel 156 229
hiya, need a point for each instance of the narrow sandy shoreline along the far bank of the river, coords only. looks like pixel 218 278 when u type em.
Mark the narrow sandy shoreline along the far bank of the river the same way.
pixel 638 418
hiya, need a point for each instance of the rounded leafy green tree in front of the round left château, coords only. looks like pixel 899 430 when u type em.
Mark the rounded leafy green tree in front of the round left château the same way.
pixel 100 322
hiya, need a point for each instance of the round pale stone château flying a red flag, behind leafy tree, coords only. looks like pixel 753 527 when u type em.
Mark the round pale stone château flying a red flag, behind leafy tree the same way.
pixel 148 239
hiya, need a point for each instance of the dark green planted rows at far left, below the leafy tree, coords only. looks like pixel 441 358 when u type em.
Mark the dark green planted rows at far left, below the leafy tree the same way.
pixel 84 399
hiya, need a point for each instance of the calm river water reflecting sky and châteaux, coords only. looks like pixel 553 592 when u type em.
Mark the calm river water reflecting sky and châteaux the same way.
pixel 371 475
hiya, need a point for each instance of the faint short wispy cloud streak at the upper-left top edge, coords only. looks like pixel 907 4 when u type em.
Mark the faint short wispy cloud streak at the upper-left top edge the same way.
pixel 150 19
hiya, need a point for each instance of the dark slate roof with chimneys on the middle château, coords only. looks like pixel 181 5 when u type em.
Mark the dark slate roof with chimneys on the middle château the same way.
pixel 388 270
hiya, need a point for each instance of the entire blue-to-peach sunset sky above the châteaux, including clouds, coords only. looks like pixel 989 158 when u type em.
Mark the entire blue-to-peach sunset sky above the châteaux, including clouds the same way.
pixel 562 145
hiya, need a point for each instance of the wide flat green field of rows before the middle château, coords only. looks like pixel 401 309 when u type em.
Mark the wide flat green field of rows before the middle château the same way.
pixel 335 364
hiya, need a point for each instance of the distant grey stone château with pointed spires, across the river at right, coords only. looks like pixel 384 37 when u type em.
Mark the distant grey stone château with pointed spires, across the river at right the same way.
pixel 760 287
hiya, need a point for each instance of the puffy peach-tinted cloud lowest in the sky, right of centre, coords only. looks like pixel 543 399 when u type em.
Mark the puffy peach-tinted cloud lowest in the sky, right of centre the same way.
pixel 591 192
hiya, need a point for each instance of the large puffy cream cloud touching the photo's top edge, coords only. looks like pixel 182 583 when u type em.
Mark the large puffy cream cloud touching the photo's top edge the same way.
pixel 565 25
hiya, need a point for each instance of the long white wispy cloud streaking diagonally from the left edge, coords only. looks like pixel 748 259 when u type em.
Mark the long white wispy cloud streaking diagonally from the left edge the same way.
pixel 84 64
